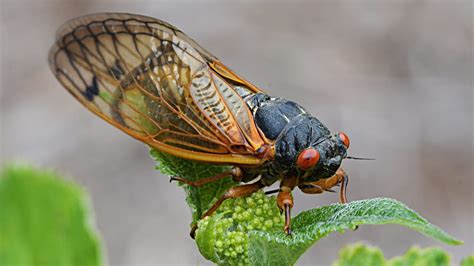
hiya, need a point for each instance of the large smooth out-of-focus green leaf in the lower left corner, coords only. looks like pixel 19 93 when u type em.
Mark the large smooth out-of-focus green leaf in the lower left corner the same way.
pixel 44 220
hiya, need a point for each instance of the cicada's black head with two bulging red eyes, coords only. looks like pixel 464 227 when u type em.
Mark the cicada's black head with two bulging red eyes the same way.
pixel 310 151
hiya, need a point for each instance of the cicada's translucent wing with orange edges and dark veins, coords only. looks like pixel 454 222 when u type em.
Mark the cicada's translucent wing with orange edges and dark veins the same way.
pixel 153 82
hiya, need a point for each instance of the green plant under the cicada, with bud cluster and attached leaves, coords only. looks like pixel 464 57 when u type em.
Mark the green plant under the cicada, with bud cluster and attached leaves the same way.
pixel 227 239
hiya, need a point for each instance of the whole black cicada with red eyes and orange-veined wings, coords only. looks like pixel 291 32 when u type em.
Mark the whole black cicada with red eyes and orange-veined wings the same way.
pixel 153 82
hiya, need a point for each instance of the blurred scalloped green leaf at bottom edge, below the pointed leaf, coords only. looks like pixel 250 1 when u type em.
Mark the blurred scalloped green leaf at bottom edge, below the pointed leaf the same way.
pixel 362 255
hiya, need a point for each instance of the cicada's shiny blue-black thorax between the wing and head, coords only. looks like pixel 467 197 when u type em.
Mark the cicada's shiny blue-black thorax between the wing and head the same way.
pixel 292 129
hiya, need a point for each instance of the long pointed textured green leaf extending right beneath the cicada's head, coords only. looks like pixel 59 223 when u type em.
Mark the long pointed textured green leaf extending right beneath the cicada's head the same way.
pixel 310 226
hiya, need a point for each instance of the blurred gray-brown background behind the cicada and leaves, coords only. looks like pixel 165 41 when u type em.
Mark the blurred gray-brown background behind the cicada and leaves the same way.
pixel 397 76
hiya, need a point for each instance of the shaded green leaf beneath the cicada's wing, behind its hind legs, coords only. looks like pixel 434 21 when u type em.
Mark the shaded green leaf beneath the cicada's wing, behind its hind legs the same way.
pixel 201 198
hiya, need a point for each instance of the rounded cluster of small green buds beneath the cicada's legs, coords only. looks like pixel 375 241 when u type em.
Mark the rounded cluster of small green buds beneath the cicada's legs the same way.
pixel 223 237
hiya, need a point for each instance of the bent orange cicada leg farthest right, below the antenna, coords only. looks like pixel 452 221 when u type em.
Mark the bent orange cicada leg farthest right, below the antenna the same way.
pixel 322 185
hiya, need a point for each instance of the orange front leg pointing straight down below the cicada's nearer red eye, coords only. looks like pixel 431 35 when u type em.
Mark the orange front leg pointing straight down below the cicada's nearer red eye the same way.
pixel 285 200
